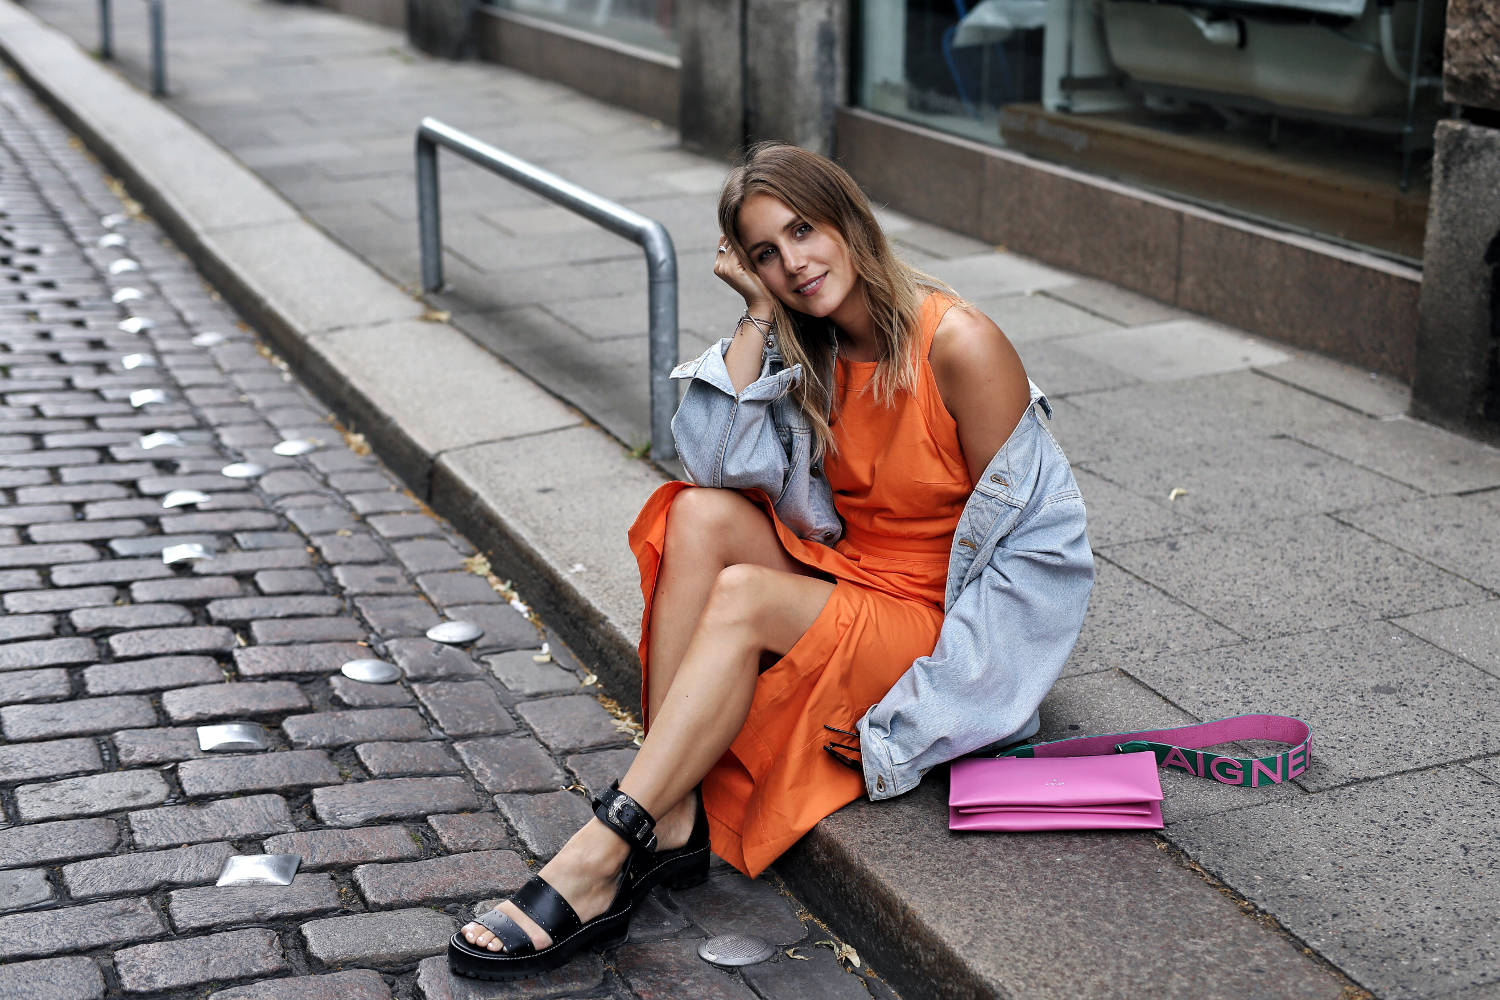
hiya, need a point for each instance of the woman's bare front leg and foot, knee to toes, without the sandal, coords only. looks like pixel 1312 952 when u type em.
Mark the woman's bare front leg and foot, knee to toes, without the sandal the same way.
pixel 751 609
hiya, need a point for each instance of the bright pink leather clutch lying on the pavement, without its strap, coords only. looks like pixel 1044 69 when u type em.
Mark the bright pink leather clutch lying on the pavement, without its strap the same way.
pixel 1055 794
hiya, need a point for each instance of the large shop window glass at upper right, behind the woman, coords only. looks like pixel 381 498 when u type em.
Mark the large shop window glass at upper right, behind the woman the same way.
pixel 1309 115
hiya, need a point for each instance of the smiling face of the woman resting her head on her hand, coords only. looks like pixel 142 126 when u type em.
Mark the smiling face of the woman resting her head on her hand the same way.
pixel 808 269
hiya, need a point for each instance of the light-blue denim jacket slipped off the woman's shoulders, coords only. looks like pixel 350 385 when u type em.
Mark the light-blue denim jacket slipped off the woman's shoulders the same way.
pixel 1019 570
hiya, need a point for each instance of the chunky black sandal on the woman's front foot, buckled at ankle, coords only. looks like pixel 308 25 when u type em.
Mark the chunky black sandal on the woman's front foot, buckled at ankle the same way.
pixel 553 914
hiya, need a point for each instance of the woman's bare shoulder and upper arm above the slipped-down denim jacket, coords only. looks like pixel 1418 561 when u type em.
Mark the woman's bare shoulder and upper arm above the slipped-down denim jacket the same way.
pixel 983 383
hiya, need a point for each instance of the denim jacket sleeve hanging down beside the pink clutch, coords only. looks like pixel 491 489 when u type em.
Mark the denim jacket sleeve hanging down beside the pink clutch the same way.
pixel 1019 579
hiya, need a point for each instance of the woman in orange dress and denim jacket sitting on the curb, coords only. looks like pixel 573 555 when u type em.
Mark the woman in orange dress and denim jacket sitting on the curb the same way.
pixel 881 519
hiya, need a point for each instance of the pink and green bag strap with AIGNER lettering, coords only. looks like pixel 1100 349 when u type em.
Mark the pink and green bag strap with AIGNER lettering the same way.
pixel 1186 755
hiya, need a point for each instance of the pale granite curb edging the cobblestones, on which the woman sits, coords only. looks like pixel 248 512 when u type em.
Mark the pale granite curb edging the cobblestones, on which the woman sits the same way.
pixel 859 869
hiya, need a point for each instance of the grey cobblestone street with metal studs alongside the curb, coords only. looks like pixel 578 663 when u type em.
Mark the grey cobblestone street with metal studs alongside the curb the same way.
pixel 412 806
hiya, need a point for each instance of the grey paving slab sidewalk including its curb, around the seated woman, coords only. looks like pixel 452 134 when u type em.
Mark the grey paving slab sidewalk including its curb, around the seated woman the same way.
pixel 1273 533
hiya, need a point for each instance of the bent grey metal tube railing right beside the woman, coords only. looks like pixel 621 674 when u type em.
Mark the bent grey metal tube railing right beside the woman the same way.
pixel 649 233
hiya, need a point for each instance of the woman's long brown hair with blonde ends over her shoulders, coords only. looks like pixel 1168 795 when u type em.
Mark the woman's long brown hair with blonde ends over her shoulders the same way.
pixel 827 197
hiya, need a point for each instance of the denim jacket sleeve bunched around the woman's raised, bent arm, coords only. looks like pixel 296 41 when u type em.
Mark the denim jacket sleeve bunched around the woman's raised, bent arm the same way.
pixel 757 439
